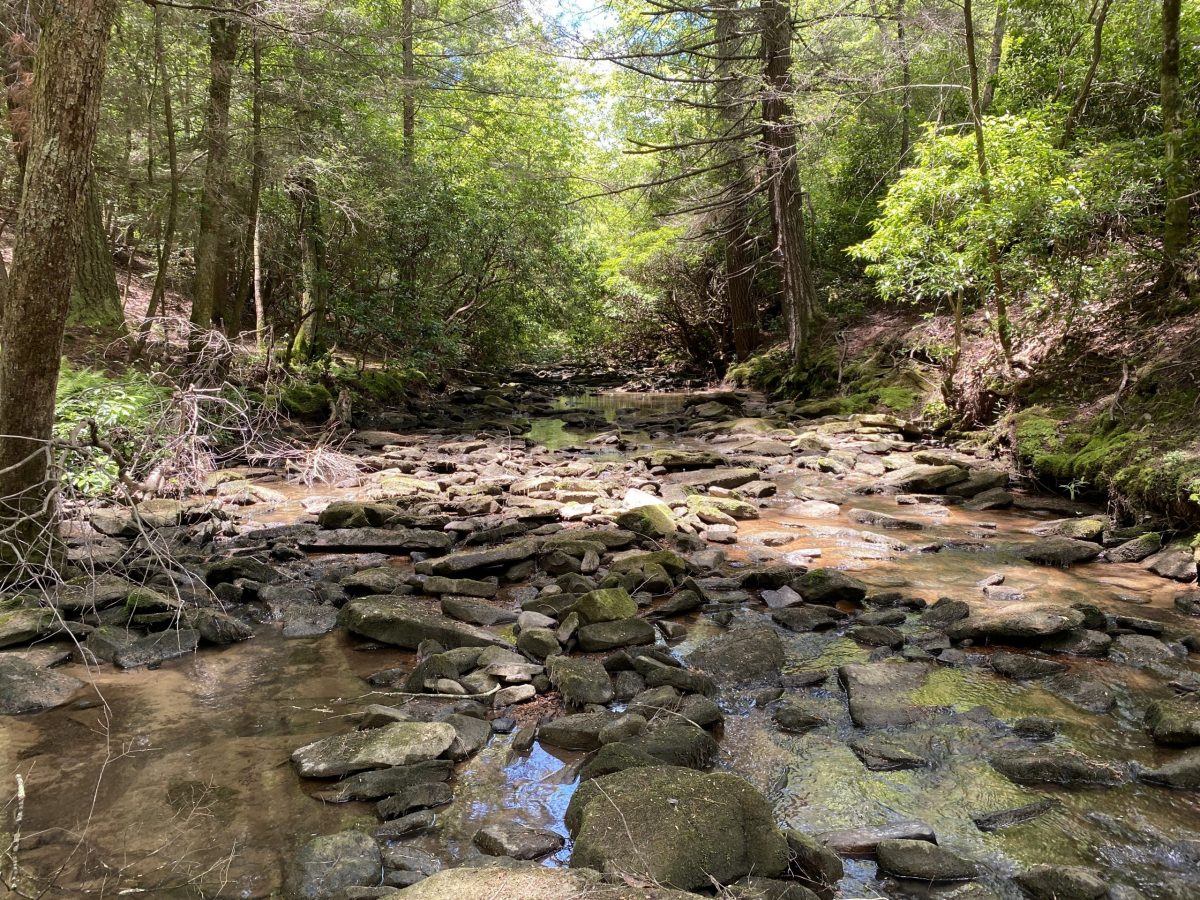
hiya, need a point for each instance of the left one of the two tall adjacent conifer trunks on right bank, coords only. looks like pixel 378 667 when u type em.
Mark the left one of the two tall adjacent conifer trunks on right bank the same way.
pixel 735 227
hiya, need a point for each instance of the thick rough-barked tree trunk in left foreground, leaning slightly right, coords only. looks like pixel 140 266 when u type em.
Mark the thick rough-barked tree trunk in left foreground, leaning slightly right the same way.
pixel 64 111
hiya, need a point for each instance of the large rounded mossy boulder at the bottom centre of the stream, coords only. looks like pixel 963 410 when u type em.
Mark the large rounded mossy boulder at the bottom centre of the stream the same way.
pixel 676 827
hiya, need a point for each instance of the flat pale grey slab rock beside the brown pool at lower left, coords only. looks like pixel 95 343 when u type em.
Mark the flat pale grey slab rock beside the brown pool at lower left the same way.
pixel 399 745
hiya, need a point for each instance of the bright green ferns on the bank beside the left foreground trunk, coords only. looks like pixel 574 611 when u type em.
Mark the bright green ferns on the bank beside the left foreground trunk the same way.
pixel 124 409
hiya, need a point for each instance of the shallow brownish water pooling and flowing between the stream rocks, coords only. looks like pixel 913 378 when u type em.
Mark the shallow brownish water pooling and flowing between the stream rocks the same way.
pixel 177 783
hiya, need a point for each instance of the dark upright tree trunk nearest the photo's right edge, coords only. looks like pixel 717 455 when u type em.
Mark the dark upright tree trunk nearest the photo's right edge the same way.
pixel 1175 231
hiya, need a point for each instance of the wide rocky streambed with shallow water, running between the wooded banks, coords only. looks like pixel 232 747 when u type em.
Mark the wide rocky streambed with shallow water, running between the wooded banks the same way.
pixel 628 646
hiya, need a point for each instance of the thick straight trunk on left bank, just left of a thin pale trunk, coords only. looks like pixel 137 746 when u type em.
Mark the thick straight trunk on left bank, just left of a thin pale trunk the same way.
pixel 211 242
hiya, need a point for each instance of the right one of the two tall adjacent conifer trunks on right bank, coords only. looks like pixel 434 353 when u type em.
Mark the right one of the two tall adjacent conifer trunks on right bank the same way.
pixel 787 199
